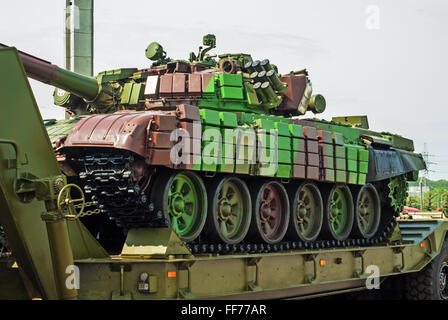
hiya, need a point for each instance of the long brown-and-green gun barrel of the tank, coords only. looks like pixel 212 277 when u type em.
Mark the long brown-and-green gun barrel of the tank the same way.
pixel 46 72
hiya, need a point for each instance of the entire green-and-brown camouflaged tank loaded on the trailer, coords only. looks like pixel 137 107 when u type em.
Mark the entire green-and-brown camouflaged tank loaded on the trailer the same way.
pixel 217 147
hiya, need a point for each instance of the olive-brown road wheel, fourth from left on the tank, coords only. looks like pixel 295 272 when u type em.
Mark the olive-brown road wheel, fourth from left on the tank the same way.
pixel 307 212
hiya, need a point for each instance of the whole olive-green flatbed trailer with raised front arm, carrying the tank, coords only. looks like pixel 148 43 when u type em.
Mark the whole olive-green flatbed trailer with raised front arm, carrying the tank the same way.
pixel 55 257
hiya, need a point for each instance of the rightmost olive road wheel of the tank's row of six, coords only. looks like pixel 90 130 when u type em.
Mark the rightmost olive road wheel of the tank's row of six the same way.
pixel 367 212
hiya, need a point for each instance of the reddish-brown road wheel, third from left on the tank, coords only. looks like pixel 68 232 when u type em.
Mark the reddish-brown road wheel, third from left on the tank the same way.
pixel 270 213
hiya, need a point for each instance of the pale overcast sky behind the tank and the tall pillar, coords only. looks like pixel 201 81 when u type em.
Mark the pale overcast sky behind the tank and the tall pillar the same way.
pixel 386 59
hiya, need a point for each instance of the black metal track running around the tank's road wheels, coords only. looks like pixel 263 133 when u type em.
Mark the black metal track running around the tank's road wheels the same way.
pixel 109 184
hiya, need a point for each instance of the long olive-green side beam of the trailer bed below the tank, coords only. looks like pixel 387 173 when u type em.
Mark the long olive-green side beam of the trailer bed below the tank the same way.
pixel 288 274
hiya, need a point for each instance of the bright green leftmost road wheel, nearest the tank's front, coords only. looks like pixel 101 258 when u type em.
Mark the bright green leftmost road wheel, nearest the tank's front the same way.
pixel 184 202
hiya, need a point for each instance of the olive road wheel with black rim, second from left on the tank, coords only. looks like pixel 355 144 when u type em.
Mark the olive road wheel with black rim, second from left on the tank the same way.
pixel 228 211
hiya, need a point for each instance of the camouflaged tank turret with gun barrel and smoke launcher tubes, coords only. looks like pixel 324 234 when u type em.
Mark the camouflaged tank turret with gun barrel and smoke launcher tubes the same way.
pixel 227 82
